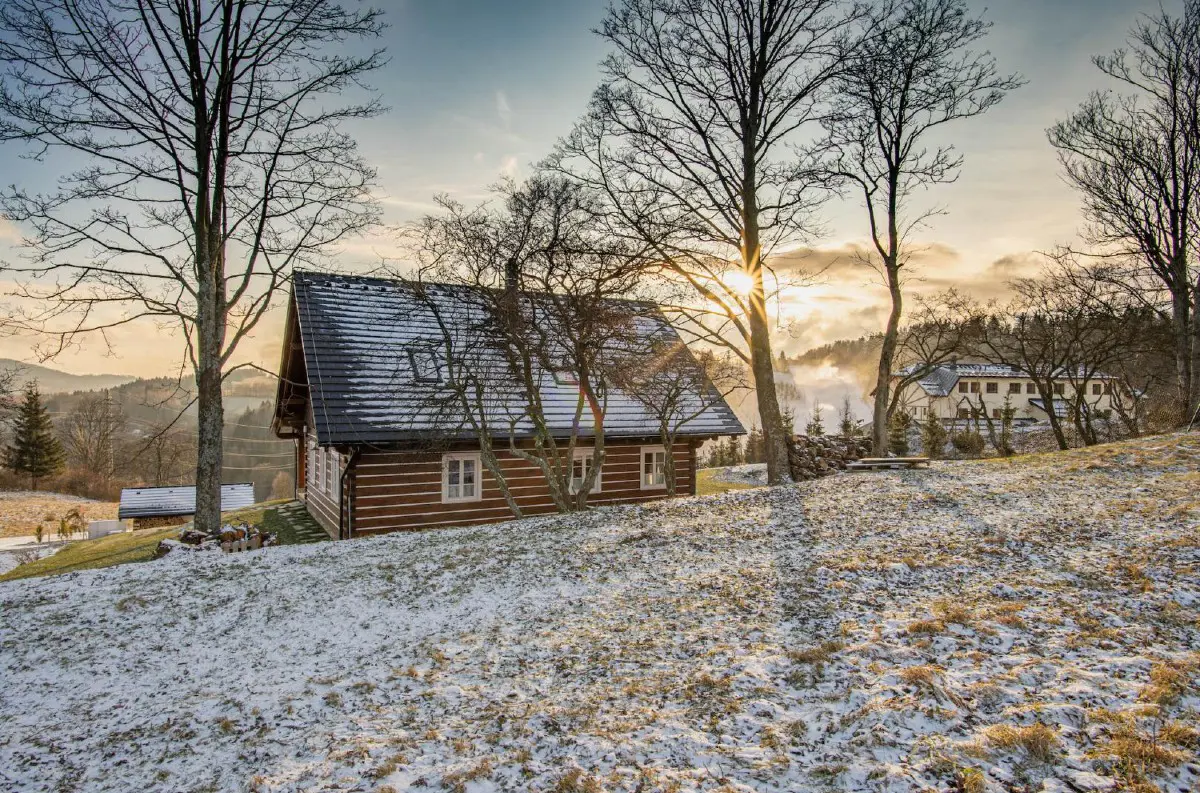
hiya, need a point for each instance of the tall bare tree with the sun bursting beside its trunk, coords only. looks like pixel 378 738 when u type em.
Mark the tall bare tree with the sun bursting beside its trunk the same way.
pixel 697 137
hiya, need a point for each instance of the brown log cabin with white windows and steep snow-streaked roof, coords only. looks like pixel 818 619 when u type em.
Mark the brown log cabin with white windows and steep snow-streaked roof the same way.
pixel 363 393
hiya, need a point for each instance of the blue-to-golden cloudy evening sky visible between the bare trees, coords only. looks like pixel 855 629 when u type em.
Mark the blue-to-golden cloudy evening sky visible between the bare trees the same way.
pixel 479 89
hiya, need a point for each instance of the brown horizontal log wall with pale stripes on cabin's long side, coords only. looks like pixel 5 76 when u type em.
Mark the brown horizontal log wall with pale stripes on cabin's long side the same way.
pixel 397 491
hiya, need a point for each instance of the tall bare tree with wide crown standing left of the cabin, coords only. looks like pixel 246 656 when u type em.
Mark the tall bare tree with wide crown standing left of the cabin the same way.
pixel 213 161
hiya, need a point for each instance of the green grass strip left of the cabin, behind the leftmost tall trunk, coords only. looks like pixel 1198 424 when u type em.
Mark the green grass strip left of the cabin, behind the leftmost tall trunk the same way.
pixel 287 519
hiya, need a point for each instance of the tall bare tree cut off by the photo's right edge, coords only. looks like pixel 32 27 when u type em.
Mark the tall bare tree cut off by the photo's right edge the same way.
pixel 1135 158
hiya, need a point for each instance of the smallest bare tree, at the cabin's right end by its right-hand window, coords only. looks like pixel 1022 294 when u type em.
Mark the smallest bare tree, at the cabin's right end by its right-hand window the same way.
pixel 677 388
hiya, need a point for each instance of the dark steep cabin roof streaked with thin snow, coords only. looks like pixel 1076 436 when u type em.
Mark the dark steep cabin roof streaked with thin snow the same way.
pixel 368 367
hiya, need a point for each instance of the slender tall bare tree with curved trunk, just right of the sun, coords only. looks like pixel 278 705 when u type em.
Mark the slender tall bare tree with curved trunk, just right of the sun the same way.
pixel 914 71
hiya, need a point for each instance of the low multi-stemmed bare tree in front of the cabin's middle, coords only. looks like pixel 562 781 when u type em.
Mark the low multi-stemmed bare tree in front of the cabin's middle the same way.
pixel 547 284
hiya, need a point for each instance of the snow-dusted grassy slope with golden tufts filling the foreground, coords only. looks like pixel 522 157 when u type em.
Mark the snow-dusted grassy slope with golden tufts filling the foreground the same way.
pixel 977 627
